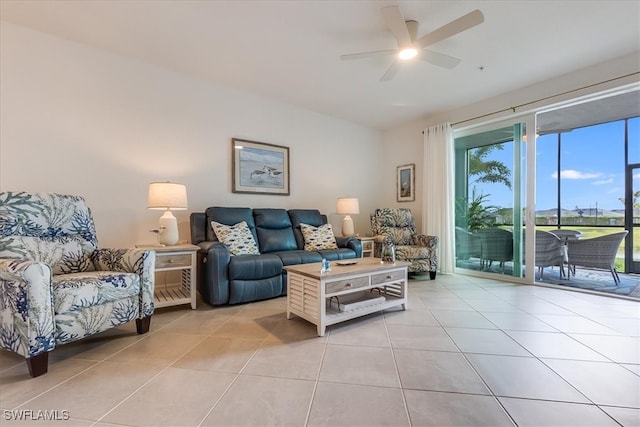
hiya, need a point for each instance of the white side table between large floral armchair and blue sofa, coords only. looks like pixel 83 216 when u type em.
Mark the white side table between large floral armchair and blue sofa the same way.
pixel 180 258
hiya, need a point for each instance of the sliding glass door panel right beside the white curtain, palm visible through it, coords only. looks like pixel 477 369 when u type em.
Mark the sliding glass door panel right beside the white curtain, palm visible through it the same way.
pixel 490 199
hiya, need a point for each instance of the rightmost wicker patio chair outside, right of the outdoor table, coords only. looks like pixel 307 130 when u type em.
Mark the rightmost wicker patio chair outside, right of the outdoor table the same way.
pixel 598 252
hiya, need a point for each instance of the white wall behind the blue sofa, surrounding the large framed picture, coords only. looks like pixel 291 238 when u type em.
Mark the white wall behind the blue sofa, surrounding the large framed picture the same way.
pixel 83 121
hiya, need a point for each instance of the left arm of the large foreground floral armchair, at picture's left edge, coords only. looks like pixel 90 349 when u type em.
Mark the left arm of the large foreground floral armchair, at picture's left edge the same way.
pixel 26 307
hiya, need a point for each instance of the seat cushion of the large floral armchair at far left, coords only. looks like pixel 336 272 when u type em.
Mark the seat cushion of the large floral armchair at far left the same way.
pixel 77 291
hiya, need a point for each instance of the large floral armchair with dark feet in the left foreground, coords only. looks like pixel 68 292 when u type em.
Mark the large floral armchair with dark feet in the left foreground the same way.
pixel 56 286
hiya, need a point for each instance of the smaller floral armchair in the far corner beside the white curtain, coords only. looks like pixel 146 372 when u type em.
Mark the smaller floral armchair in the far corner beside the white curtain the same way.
pixel 395 225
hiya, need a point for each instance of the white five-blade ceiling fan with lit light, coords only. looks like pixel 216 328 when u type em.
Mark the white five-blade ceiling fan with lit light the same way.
pixel 409 46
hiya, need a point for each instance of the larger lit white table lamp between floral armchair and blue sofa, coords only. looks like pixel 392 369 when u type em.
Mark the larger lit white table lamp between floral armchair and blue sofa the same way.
pixel 167 196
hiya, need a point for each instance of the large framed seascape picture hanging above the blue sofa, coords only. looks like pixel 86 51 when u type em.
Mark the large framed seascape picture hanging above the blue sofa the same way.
pixel 259 168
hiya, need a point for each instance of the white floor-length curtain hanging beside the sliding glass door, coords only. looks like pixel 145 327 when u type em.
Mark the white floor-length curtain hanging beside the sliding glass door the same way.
pixel 438 204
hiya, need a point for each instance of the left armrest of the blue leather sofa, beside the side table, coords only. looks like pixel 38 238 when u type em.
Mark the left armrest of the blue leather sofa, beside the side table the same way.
pixel 213 272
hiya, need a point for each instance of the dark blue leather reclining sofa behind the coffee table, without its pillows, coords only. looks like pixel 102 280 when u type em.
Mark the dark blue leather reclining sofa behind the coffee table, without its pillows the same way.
pixel 224 278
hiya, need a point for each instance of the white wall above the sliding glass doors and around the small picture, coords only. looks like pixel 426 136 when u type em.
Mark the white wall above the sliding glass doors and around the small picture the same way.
pixel 406 142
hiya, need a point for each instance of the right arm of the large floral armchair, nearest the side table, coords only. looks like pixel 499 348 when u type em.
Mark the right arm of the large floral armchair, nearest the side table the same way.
pixel 139 261
